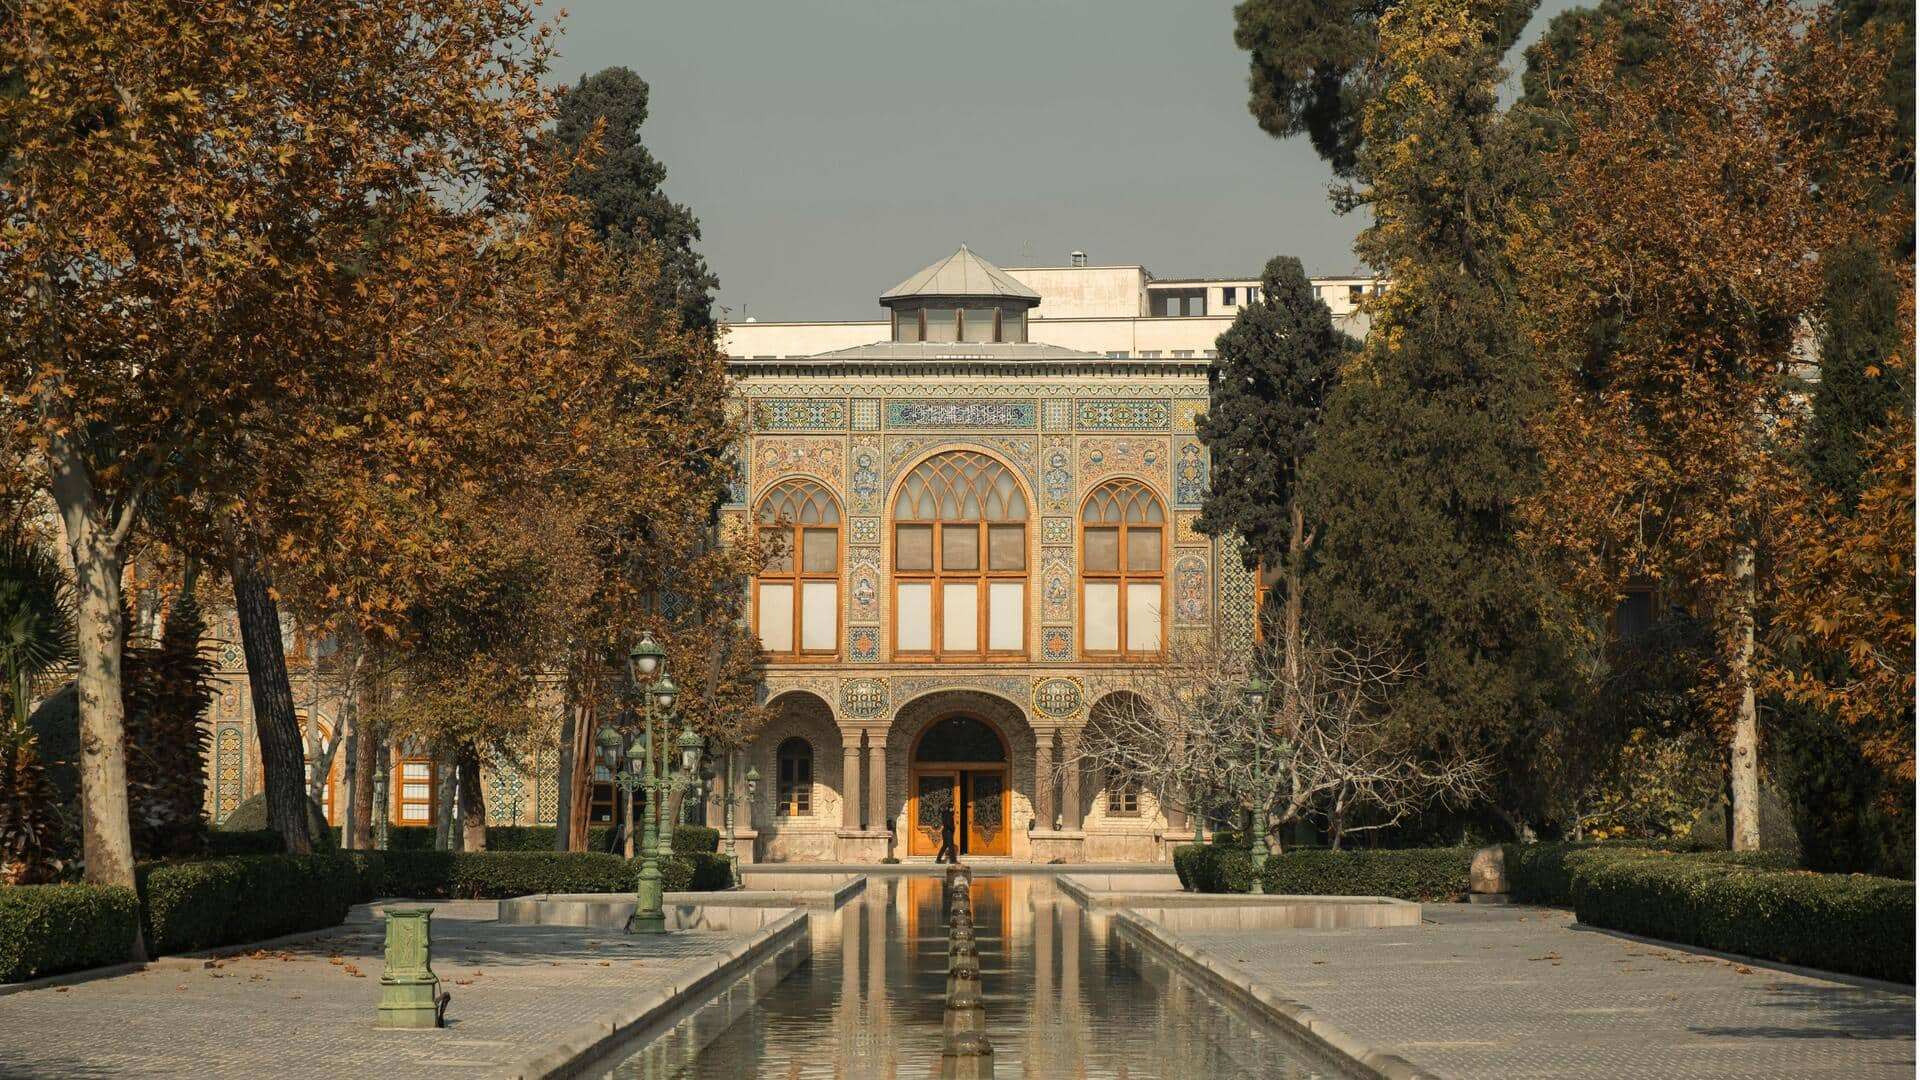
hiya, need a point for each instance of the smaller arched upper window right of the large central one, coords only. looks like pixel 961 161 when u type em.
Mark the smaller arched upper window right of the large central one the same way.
pixel 1124 581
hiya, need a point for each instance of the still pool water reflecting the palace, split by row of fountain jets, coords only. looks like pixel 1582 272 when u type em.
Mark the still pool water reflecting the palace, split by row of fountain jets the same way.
pixel 1061 1000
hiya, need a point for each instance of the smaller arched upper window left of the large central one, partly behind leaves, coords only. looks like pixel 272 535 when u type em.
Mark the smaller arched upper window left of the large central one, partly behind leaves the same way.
pixel 798 595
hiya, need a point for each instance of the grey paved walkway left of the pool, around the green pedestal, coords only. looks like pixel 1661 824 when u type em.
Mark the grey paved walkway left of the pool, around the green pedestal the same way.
pixel 308 1010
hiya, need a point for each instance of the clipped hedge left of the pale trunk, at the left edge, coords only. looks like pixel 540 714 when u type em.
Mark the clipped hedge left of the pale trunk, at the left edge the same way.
pixel 55 929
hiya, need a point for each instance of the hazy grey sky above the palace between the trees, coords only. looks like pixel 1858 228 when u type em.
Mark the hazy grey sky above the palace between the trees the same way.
pixel 834 147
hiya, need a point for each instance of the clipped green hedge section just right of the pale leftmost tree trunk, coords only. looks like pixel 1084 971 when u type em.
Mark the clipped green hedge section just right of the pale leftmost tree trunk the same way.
pixel 222 902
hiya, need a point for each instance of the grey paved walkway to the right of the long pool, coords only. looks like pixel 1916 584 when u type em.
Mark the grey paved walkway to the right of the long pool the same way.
pixel 1504 993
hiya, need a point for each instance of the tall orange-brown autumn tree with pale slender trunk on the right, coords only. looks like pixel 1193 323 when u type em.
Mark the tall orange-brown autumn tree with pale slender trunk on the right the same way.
pixel 1669 291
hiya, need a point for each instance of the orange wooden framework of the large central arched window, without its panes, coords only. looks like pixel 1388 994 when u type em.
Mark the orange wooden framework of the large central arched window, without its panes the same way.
pixel 982 579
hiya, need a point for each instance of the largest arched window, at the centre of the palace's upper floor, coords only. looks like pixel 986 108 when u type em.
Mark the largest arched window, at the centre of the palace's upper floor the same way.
pixel 961 560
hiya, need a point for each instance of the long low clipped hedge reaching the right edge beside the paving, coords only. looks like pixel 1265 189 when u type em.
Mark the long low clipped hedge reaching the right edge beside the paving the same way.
pixel 1848 923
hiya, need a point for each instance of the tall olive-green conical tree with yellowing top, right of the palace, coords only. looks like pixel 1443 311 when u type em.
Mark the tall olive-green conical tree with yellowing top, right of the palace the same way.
pixel 1426 445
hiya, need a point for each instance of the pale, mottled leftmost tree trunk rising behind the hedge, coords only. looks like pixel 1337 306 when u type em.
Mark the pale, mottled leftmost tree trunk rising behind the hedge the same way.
pixel 101 635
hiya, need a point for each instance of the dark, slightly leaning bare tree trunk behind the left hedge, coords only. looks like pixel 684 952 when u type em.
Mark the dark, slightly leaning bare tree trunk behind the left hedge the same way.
pixel 274 702
